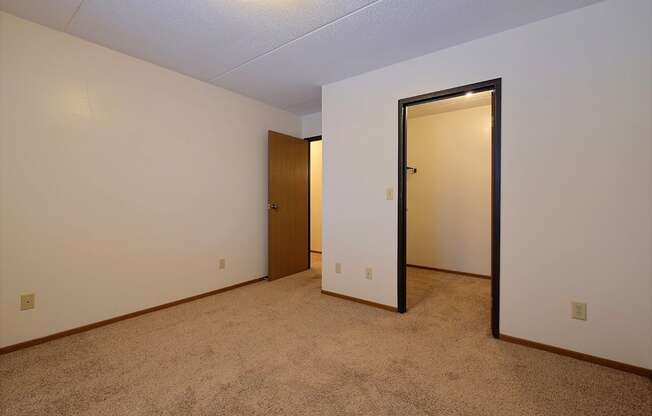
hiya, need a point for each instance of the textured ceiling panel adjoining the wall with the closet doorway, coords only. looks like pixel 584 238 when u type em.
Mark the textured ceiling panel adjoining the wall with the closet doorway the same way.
pixel 385 33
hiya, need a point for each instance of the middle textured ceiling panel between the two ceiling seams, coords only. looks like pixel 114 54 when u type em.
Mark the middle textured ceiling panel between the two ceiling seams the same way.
pixel 202 38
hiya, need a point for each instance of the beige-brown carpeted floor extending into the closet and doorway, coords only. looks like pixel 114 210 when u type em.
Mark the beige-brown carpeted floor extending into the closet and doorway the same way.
pixel 283 348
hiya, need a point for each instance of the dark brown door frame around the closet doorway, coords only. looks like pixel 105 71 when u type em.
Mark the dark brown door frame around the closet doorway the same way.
pixel 490 85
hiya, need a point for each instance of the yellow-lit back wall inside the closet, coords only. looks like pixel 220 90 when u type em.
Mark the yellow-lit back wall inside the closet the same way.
pixel 449 198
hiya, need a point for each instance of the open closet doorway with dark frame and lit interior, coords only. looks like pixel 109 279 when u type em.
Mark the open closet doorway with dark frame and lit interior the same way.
pixel 449 189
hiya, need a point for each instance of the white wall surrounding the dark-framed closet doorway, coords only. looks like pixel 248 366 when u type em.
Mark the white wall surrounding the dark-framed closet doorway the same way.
pixel 576 175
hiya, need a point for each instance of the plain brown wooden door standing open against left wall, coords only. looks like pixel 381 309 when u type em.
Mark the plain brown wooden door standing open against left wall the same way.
pixel 288 205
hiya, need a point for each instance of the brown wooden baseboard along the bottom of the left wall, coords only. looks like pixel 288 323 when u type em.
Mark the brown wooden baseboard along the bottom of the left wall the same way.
pixel 30 343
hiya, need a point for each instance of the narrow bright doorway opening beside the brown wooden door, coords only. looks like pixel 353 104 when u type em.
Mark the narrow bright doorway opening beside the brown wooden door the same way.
pixel 315 202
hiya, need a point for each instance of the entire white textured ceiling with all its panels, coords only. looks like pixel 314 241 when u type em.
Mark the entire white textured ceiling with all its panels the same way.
pixel 282 51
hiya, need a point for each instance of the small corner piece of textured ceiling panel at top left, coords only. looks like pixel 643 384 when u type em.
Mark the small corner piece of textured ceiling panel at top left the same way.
pixel 52 13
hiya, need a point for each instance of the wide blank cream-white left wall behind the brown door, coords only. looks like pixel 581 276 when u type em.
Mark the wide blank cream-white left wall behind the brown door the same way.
pixel 122 183
